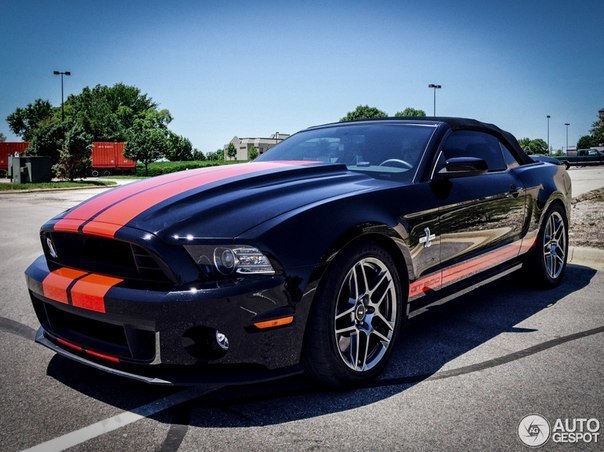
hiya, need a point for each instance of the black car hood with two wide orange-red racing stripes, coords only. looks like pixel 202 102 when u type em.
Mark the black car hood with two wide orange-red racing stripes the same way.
pixel 212 203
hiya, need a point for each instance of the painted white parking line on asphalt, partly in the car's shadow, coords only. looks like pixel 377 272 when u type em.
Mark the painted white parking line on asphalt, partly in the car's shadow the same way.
pixel 121 420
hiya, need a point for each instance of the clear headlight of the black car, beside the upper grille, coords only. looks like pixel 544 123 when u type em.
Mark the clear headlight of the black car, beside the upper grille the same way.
pixel 228 260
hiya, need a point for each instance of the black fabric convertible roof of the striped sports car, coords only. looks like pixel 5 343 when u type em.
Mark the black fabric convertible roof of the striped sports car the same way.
pixel 454 124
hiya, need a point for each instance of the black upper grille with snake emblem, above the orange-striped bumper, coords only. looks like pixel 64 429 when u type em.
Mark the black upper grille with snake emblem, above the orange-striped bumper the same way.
pixel 107 256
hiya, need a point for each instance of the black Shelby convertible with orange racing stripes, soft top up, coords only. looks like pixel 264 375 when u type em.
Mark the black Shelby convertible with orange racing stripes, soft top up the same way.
pixel 310 258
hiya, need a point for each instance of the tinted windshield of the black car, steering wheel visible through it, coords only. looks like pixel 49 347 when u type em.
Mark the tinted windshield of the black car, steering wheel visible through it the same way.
pixel 390 151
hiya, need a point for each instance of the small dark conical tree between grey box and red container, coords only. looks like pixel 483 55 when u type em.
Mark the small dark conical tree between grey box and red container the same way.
pixel 74 156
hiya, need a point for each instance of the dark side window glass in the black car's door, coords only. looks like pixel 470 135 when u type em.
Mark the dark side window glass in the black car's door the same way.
pixel 476 144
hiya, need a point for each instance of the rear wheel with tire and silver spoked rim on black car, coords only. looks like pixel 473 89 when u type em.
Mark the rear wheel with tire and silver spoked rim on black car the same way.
pixel 546 264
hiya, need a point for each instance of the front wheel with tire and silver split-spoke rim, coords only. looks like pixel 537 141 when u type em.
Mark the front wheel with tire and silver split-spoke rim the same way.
pixel 355 319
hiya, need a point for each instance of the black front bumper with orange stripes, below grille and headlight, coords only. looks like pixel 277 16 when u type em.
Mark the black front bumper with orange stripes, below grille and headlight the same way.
pixel 164 337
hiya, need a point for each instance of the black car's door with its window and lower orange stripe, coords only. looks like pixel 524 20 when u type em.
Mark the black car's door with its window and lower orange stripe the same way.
pixel 481 217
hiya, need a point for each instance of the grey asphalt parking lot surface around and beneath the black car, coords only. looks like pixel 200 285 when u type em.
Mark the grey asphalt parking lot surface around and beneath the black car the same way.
pixel 462 376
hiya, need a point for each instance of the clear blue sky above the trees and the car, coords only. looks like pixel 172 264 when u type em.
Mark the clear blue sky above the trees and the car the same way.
pixel 226 68
